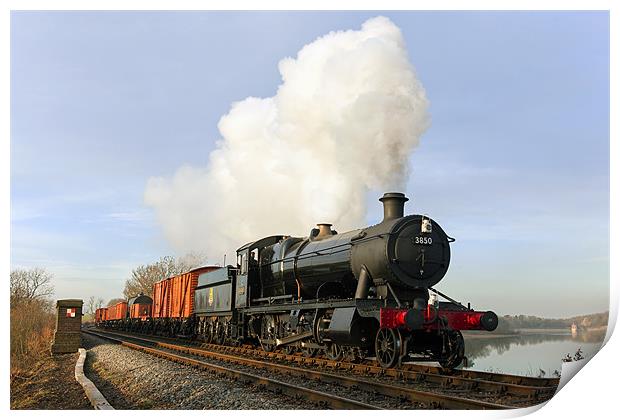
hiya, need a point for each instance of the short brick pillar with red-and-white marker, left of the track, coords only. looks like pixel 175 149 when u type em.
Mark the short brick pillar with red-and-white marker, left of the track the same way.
pixel 67 337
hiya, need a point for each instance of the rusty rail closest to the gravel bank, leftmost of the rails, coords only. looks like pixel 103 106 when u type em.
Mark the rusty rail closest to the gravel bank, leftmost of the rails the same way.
pixel 291 390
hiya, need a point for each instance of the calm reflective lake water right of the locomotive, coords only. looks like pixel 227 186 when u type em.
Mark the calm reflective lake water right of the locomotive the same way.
pixel 529 352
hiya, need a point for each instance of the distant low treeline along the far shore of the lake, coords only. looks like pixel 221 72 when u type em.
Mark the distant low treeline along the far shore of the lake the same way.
pixel 510 323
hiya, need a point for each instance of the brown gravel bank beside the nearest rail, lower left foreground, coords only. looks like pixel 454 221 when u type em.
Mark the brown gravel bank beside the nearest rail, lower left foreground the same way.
pixel 134 380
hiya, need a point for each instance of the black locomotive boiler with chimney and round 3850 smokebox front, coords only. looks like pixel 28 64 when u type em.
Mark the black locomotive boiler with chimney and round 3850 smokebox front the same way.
pixel 401 255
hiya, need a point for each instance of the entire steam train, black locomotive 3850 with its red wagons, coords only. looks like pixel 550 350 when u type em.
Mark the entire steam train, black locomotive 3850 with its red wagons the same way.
pixel 358 294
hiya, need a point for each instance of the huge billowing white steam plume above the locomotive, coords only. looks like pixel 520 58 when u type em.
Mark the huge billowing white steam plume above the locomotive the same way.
pixel 345 119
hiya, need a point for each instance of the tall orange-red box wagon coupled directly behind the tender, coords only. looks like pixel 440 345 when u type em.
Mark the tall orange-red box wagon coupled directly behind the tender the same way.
pixel 174 297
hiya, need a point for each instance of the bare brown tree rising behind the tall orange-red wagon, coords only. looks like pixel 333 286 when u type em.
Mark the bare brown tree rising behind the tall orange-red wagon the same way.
pixel 145 276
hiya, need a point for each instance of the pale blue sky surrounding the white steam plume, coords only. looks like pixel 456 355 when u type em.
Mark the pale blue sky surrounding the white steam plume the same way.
pixel 515 164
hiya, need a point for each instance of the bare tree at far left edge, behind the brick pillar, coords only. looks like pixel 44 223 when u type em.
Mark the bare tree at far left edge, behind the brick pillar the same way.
pixel 30 285
